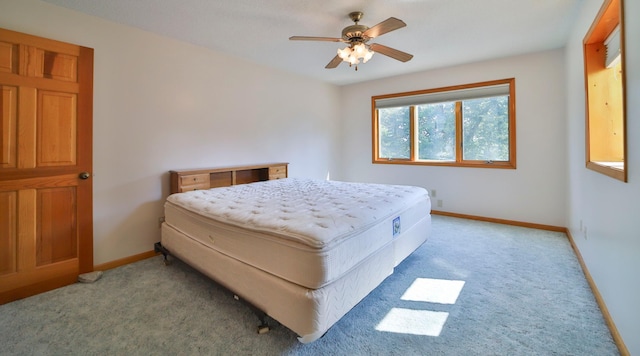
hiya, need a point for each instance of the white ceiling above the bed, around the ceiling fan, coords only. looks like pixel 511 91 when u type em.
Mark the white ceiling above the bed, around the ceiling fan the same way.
pixel 439 33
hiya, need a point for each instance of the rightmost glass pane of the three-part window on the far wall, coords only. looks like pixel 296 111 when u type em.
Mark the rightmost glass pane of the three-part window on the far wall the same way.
pixel 485 129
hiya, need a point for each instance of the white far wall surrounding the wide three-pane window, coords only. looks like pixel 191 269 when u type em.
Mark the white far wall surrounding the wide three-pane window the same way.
pixel 534 192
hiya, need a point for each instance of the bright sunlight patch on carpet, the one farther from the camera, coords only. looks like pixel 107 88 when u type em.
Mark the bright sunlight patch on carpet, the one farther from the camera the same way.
pixel 430 290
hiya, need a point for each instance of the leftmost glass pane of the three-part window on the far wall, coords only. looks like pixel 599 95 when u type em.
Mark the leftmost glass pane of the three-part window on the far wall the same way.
pixel 394 128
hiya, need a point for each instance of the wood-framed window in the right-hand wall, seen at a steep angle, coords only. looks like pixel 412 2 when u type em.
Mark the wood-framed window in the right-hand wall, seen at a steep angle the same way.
pixel 604 79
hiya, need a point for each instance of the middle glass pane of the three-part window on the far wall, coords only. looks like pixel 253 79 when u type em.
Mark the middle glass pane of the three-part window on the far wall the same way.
pixel 437 131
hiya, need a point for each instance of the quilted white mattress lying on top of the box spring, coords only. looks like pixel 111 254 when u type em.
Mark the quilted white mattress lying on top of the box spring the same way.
pixel 308 232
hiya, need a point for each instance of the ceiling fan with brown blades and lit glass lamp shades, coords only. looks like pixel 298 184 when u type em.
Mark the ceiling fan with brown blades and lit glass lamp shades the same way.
pixel 357 36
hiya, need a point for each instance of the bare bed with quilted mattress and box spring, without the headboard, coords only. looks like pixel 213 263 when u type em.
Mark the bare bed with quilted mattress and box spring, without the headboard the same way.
pixel 302 251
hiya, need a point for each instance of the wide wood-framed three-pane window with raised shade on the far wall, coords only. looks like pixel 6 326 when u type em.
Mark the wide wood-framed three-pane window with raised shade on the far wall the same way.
pixel 470 125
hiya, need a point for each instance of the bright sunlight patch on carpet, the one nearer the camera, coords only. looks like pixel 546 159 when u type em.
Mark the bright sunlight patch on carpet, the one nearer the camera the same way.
pixel 414 322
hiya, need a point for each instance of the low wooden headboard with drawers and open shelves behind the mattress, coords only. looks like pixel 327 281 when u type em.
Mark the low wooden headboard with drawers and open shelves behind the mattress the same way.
pixel 205 178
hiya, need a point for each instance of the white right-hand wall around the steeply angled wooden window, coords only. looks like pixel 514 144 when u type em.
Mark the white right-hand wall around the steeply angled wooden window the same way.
pixel 608 208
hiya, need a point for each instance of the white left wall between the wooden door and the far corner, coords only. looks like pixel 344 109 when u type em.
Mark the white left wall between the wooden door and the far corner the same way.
pixel 161 104
